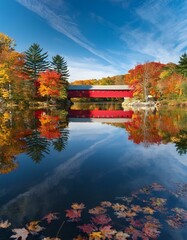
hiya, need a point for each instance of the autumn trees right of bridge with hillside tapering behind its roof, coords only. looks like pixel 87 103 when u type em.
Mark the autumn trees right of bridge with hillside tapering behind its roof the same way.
pixel 151 79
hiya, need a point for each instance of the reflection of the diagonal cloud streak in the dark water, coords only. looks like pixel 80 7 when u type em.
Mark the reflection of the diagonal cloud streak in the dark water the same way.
pixel 20 207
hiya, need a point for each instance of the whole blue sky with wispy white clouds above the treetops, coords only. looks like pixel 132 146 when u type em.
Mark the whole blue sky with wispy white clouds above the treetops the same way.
pixel 99 38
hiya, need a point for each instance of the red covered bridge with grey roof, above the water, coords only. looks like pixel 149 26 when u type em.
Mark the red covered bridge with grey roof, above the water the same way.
pixel 100 91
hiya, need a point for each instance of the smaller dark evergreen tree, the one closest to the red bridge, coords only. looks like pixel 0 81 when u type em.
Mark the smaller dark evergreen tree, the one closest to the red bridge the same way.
pixel 59 64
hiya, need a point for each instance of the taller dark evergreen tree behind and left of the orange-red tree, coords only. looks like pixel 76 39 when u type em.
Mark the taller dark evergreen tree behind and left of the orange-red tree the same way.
pixel 35 61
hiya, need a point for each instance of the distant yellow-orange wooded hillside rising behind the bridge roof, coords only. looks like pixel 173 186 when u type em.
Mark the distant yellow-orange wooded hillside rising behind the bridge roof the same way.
pixel 115 80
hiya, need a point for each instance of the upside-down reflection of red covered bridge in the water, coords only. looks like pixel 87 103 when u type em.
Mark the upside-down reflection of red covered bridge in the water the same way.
pixel 100 115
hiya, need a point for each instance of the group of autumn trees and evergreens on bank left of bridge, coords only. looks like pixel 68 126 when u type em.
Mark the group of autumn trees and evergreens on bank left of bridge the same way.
pixel 30 76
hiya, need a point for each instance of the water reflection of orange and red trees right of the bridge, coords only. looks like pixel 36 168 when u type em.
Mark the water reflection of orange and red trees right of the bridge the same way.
pixel 151 127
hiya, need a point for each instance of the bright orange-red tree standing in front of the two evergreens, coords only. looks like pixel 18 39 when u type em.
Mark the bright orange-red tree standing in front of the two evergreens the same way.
pixel 49 84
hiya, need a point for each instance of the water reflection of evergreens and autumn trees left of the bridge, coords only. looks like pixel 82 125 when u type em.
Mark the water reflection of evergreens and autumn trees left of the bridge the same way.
pixel 30 132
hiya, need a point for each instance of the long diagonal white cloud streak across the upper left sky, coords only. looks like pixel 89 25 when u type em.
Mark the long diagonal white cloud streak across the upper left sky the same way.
pixel 63 23
